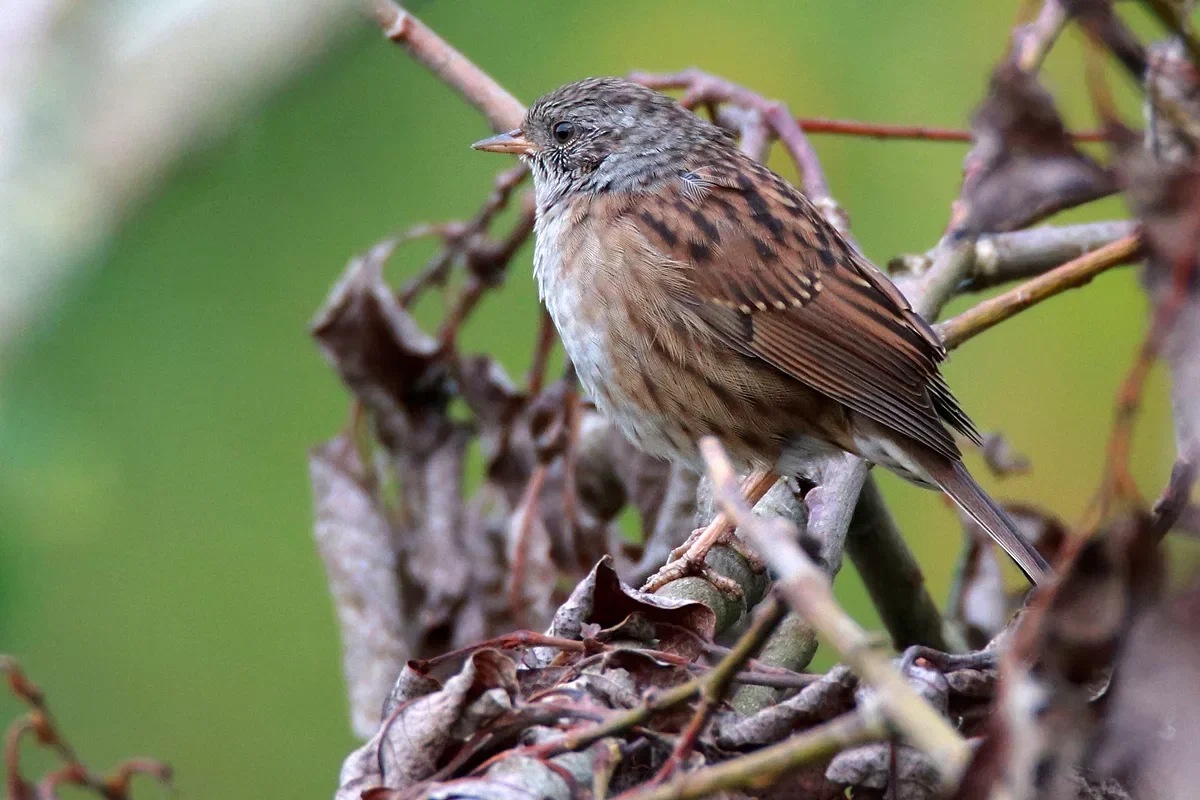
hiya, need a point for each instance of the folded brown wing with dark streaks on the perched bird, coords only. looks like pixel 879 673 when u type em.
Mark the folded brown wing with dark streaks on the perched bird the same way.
pixel 778 284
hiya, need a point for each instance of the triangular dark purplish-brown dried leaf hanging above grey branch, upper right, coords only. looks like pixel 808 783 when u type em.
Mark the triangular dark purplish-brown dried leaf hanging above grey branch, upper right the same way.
pixel 1024 166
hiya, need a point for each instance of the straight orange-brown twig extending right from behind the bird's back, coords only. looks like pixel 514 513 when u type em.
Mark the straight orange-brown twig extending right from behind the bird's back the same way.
pixel 1070 276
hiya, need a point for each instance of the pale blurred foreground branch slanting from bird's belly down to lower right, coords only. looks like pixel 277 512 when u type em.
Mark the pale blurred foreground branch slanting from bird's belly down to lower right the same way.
pixel 808 591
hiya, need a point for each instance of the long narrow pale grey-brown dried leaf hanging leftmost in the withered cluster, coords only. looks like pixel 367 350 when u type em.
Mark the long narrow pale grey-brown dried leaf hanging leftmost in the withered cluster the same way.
pixel 361 564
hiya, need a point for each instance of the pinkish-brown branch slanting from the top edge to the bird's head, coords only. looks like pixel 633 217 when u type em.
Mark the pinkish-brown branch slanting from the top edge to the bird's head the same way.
pixel 502 110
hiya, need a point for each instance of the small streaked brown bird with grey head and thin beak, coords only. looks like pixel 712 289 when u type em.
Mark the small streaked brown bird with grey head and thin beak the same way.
pixel 698 293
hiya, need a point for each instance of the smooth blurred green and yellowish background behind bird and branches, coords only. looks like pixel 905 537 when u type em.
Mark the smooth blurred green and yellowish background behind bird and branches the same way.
pixel 157 570
